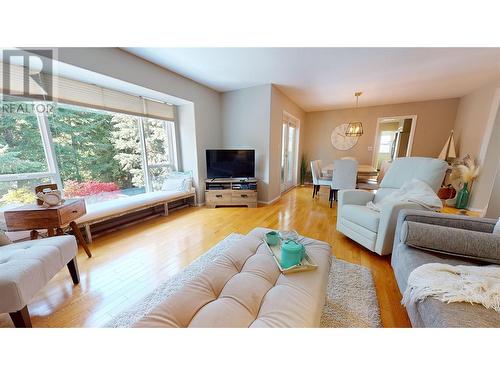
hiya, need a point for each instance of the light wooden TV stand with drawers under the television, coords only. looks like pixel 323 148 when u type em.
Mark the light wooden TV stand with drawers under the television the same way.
pixel 231 192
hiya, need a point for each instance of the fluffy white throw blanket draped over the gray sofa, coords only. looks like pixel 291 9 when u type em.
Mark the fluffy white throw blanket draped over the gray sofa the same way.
pixel 447 283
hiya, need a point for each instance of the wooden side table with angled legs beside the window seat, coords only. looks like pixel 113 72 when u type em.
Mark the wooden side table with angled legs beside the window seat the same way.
pixel 53 219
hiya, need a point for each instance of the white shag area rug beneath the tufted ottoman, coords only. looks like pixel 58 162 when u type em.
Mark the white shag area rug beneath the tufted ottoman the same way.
pixel 351 297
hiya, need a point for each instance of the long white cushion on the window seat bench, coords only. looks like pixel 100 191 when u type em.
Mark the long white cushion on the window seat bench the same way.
pixel 114 207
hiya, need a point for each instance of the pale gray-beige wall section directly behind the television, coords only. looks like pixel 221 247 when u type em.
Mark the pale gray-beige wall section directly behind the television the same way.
pixel 245 124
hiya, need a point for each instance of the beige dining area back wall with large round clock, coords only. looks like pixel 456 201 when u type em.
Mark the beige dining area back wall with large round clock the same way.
pixel 435 120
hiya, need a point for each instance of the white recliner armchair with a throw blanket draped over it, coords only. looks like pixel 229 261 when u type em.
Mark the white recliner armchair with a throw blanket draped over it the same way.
pixel 375 230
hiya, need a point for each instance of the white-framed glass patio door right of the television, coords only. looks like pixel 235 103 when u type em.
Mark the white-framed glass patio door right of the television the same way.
pixel 289 153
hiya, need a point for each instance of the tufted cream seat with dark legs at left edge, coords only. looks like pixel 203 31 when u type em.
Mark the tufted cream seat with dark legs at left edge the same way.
pixel 26 267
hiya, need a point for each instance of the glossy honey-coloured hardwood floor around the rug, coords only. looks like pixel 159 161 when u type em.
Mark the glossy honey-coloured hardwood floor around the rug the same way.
pixel 128 264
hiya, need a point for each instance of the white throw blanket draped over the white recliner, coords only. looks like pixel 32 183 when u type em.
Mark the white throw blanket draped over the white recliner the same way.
pixel 414 191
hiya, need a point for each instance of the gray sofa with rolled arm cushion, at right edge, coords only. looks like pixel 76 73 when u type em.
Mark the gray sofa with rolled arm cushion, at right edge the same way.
pixel 442 247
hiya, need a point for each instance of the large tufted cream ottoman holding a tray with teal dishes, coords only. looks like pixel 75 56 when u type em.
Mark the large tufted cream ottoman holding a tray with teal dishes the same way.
pixel 244 288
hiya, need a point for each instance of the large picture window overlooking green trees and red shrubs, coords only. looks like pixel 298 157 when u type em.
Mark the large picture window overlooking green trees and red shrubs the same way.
pixel 98 155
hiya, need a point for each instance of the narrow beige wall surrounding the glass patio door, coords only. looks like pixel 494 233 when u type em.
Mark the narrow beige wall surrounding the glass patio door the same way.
pixel 280 103
